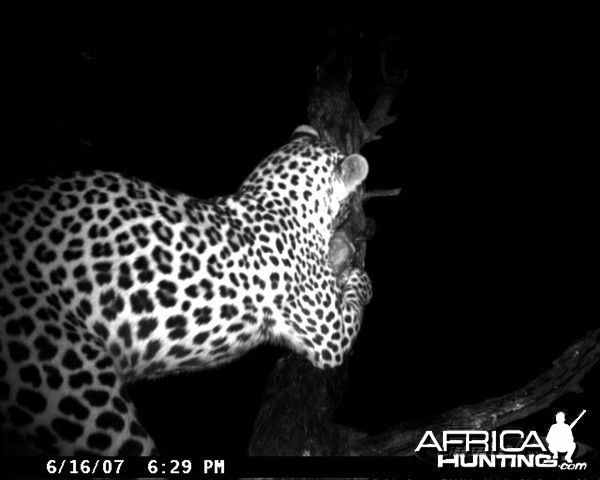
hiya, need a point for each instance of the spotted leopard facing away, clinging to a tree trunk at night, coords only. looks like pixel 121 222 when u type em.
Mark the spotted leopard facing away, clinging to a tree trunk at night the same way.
pixel 106 279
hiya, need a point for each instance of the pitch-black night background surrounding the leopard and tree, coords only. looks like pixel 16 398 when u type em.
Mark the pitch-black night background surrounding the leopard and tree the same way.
pixel 481 268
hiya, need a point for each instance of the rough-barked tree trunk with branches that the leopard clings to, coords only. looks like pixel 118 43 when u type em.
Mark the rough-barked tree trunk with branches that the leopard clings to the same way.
pixel 296 417
